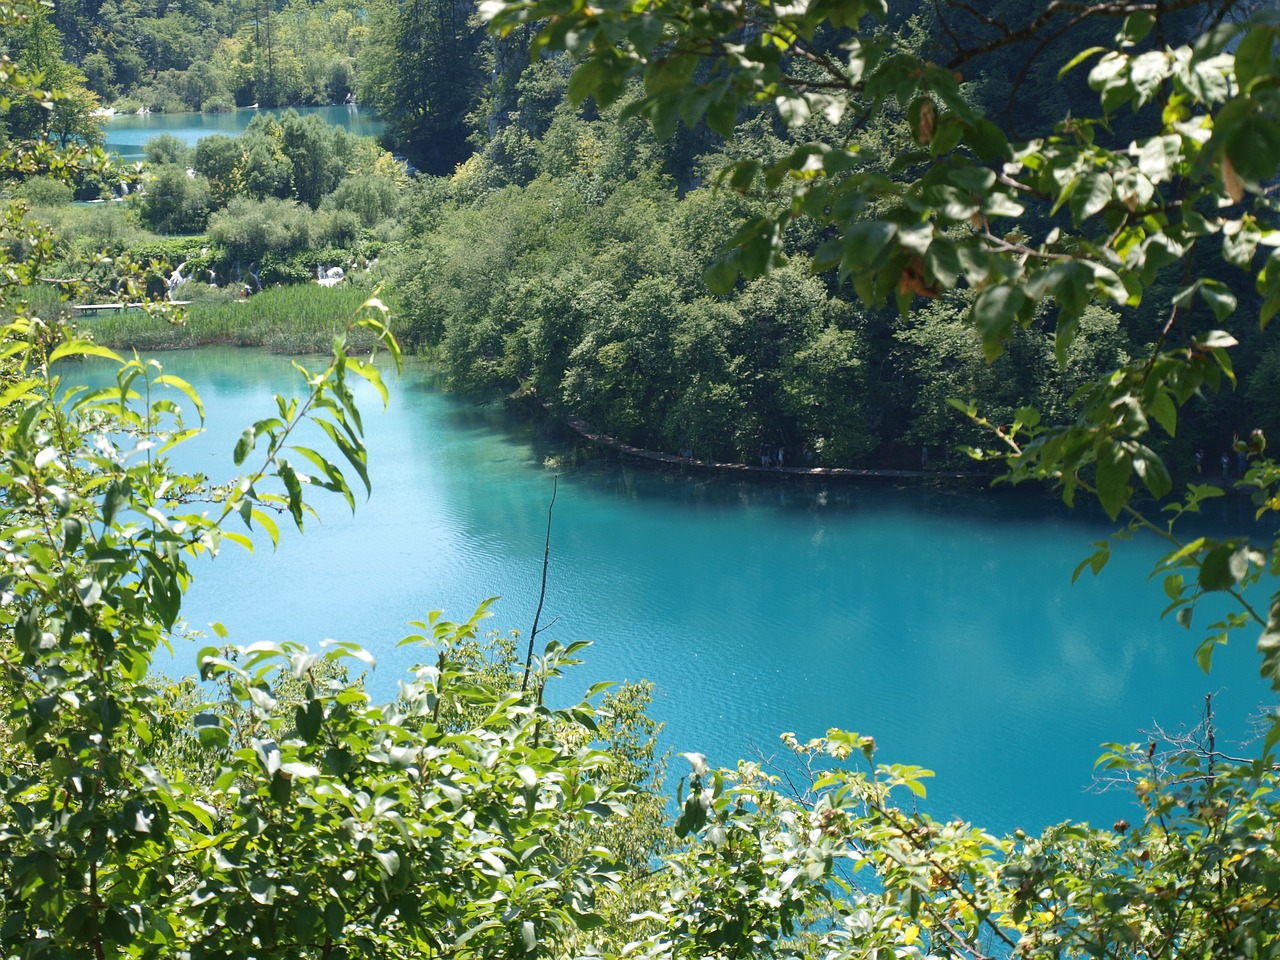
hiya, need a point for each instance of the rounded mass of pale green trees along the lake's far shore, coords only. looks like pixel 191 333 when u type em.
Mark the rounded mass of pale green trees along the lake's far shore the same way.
pixel 600 310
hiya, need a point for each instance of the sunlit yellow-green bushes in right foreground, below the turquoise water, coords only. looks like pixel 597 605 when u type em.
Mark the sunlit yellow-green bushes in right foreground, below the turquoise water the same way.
pixel 847 868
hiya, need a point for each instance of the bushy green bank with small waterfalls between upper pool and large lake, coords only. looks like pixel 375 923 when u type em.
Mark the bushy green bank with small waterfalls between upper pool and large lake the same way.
pixel 259 218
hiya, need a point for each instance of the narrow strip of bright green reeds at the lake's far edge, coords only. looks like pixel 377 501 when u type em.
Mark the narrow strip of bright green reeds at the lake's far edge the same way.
pixel 300 319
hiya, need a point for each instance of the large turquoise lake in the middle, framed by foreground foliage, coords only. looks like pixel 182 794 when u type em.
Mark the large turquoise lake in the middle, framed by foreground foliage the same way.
pixel 943 624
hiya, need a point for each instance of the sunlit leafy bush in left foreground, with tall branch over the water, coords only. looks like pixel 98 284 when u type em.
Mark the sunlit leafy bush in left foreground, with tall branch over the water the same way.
pixel 326 826
